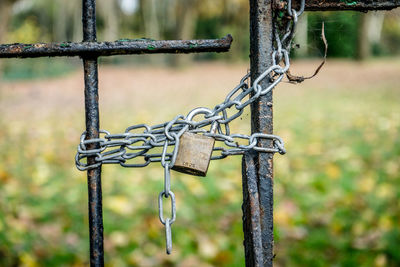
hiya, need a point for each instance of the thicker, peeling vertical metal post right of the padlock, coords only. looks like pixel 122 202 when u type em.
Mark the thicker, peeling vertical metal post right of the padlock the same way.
pixel 258 167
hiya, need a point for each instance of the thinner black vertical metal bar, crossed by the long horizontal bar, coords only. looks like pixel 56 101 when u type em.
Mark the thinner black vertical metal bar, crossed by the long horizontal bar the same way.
pixel 92 131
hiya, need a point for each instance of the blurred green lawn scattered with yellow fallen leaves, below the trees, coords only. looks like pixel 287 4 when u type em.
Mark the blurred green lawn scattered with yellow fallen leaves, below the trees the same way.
pixel 337 190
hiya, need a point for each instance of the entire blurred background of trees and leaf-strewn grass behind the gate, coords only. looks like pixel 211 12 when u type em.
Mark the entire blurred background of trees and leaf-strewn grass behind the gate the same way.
pixel 337 191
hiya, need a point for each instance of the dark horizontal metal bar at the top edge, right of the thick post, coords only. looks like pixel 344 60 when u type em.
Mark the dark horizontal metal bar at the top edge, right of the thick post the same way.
pixel 331 5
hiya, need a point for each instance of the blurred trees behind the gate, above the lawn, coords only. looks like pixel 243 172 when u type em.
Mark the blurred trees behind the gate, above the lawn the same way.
pixel 349 34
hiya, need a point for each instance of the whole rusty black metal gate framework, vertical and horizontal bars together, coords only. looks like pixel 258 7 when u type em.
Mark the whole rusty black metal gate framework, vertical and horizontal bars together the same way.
pixel 257 166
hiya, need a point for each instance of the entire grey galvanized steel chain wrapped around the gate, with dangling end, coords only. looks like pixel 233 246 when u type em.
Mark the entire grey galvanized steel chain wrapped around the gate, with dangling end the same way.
pixel 138 140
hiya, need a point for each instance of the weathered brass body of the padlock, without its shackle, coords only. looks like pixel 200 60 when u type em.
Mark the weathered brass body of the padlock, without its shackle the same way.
pixel 194 154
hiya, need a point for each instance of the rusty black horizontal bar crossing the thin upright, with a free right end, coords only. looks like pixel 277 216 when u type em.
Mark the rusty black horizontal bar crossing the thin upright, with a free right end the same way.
pixel 119 47
